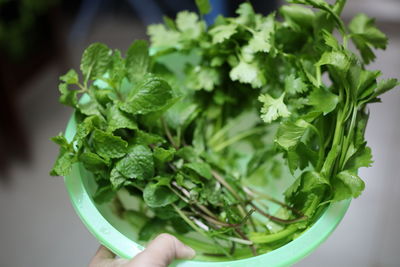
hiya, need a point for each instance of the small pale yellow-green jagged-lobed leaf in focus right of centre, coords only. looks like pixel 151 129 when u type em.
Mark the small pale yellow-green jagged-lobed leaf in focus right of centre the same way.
pixel 273 108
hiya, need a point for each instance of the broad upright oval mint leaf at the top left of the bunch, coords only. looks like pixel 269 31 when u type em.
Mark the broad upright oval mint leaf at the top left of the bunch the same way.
pixel 95 60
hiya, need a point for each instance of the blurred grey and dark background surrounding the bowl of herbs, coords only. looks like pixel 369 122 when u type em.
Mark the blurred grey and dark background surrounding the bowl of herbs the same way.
pixel 42 39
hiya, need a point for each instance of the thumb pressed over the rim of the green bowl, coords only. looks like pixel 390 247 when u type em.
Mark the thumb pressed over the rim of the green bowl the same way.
pixel 162 251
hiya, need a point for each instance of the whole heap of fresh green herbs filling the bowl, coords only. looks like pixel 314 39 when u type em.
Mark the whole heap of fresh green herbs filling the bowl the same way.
pixel 197 125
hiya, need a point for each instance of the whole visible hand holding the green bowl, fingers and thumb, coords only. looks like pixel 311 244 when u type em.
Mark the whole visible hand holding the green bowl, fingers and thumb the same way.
pixel 159 253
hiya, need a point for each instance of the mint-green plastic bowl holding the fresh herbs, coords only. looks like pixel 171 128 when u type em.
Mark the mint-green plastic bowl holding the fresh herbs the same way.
pixel 119 236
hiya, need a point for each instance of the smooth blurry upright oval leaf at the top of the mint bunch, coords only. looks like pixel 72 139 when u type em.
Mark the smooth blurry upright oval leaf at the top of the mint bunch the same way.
pixel 137 60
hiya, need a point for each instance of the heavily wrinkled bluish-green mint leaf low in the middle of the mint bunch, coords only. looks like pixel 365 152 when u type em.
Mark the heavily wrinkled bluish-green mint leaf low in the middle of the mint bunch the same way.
pixel 137 164
